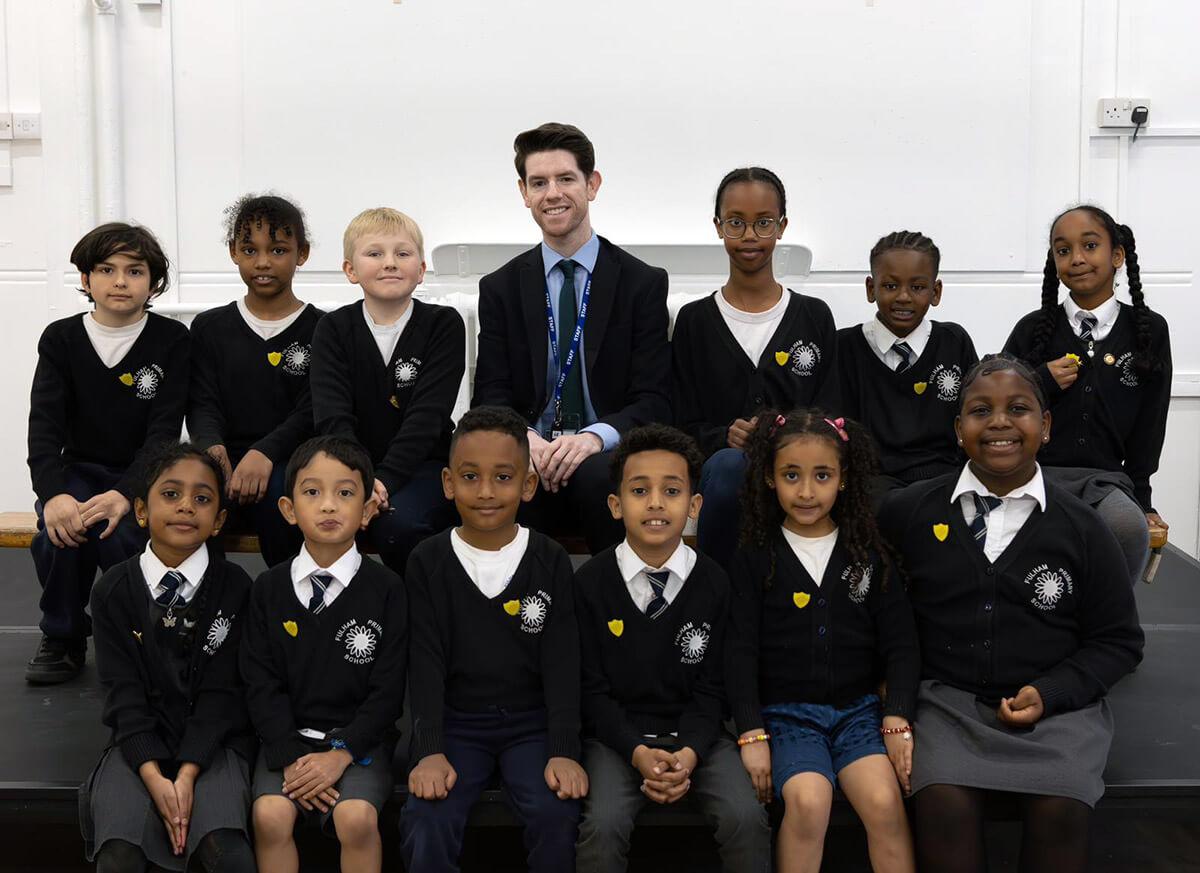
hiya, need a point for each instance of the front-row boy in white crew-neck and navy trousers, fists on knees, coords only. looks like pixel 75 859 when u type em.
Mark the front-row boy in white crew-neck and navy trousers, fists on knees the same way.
pixel 496 661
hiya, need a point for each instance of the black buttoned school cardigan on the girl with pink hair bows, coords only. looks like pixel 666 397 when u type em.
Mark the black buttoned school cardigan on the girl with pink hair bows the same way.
pixel 791 641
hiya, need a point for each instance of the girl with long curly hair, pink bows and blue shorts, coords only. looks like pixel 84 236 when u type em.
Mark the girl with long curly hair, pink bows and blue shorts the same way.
pixel 817 607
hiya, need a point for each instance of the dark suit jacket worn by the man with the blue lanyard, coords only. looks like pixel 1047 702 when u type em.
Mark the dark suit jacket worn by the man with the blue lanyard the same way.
pixel 627 358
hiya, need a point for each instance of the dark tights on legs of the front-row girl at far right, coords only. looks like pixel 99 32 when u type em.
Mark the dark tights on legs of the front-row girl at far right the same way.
pixel 949 826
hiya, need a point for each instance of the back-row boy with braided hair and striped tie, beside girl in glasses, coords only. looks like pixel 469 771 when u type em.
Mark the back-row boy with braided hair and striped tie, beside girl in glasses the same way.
pixel 901 372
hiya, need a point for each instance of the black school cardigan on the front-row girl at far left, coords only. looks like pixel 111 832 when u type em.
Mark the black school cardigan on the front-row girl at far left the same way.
pixel 149 719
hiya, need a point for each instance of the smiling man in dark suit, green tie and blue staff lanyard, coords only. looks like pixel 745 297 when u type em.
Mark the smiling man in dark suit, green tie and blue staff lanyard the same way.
pixel 573 336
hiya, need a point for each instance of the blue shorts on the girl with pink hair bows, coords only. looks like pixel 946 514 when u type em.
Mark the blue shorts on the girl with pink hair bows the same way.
pixel 809 738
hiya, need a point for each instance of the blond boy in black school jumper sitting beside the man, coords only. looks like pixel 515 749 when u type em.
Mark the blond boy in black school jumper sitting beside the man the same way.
pixel 387 372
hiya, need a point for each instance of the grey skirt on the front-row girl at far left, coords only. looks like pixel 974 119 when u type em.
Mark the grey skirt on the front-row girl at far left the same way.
pixel 115 805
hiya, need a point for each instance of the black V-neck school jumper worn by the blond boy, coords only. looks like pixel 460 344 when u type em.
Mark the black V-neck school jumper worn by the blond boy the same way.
pixel 400 411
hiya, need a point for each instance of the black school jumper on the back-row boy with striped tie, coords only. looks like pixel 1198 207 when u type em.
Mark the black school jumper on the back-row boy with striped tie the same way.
pixel 910 414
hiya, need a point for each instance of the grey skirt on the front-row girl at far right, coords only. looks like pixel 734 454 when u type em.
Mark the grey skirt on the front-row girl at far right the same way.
pixel 961 742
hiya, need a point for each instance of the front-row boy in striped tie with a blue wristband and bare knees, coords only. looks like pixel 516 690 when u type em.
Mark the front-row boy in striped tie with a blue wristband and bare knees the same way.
pixel 325 666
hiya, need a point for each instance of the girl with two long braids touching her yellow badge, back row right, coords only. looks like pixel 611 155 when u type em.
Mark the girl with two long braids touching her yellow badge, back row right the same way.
pixel 1106 369
